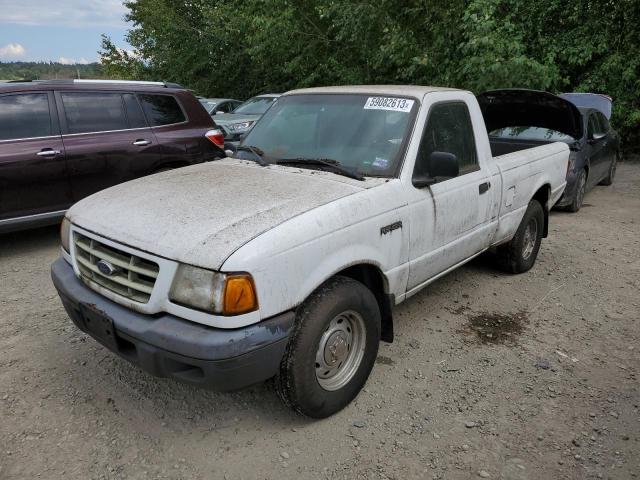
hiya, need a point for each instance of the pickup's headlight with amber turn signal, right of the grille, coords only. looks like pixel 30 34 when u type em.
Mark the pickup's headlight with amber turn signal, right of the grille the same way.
pixel 214 292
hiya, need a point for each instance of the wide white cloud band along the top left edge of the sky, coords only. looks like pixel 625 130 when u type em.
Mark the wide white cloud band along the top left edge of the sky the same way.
pixel 72 13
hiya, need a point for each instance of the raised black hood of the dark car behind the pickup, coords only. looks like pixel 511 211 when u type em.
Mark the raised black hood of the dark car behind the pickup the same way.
pixel 529 108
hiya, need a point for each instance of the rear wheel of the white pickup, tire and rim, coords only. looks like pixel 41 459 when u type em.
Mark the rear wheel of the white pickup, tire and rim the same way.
pixel 519 255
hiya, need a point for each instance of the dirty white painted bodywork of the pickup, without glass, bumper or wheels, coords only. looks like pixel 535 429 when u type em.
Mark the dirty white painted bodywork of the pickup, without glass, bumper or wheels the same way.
pixel 292 229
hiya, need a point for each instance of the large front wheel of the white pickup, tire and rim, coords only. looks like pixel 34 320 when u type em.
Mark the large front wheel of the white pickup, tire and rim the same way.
pixel 341 312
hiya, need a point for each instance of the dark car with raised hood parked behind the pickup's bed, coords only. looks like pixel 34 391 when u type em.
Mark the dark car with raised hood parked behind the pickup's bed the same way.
pixel 521 117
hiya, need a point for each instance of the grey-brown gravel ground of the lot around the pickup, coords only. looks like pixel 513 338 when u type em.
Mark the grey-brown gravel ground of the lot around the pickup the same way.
pixel 491 376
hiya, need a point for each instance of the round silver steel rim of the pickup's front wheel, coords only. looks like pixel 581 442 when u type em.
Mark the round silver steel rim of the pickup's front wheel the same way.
pixel 340 350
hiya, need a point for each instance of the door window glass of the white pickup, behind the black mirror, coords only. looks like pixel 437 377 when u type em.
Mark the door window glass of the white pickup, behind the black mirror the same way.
pixel 448 129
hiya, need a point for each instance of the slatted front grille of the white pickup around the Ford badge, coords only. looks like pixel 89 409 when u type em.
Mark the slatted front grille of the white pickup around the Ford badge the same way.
pixel 132 277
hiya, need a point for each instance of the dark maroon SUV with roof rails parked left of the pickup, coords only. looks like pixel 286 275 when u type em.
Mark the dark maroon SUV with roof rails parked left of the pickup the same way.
pixel 63 140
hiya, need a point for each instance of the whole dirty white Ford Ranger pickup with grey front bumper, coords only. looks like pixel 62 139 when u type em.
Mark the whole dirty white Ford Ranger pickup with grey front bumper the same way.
pixel 285 259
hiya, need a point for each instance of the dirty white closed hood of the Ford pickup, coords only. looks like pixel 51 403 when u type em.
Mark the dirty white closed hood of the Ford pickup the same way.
pixel 201 214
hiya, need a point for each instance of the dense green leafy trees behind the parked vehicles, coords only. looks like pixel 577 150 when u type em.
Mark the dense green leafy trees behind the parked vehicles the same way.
pixel 238 49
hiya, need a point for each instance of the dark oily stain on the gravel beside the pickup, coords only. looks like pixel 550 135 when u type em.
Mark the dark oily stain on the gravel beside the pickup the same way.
pixel 497 327
